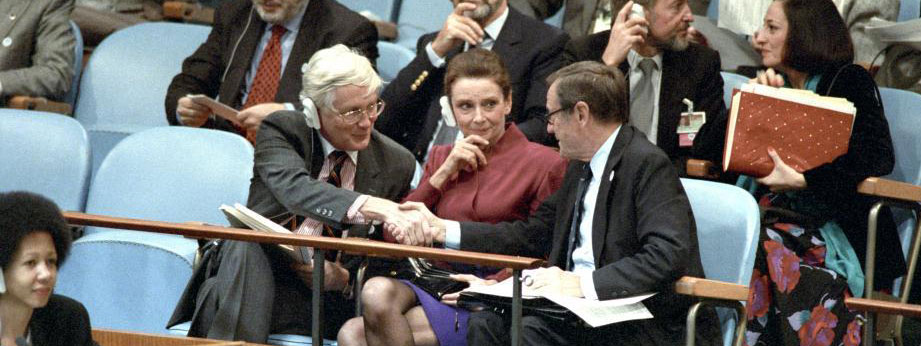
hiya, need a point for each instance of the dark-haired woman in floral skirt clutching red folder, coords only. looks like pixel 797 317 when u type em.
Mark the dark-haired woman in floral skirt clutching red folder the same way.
pixel 813 239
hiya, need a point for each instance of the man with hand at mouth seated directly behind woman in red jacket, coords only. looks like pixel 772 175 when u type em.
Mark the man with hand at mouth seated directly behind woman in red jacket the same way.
pixel 529 48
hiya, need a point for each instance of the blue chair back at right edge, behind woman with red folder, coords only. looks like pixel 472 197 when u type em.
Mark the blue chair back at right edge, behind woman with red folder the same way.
pixel 903 111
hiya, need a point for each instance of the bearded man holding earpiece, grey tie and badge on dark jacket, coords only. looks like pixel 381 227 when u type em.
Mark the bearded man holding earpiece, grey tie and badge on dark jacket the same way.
pixel 662 68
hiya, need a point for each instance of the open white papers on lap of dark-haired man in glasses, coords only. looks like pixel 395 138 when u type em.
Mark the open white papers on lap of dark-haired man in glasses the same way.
pixel 595 313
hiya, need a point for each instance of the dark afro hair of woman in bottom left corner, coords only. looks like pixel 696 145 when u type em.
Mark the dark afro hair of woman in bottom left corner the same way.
pixel 22 213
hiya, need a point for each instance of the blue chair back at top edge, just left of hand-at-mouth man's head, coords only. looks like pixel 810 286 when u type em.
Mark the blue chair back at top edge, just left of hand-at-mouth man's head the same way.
pixel 418 17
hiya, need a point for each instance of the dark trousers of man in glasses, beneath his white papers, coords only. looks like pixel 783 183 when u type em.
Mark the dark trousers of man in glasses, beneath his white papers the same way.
pixel 490 328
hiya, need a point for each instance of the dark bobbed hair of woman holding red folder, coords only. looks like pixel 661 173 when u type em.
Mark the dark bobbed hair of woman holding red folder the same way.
pixel 817 38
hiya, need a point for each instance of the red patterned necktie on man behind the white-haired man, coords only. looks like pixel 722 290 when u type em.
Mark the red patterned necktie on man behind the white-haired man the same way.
pixel 265 83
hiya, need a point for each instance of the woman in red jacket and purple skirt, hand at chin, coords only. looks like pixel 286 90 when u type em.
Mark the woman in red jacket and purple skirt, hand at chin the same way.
pixel 493 174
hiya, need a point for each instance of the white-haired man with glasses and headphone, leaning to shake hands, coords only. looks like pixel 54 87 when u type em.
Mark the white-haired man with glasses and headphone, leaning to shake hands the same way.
pixel 323 171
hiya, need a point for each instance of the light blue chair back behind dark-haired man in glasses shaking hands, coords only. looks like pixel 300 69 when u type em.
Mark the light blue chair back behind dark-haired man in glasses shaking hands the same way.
pixel 728 224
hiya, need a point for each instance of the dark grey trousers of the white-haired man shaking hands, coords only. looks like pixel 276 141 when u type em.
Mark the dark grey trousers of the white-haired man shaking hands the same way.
pixel 256 293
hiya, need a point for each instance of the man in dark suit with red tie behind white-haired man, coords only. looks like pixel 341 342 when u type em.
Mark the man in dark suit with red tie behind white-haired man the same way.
pixel 253 57
